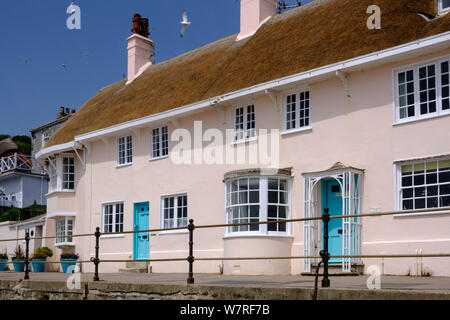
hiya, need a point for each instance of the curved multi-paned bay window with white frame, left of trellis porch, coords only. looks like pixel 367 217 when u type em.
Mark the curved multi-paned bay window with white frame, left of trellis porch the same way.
pixel 257 199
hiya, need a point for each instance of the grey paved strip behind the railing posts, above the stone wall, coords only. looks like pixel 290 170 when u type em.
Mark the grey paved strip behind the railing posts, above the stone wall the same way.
pixel 350 282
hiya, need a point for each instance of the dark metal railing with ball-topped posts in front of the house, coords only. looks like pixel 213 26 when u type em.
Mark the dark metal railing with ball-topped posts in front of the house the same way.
pixel 324 254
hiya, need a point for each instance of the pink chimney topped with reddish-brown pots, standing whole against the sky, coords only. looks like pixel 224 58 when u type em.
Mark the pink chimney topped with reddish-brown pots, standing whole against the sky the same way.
pixel 140 48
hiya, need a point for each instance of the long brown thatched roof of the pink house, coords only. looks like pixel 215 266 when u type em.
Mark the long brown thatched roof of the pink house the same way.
pixel 317 34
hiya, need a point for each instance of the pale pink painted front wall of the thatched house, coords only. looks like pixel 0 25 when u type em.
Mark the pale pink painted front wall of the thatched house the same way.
pixel 357 131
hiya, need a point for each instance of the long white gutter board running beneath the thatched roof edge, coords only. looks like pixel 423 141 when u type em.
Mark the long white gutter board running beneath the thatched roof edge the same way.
pixel 331 69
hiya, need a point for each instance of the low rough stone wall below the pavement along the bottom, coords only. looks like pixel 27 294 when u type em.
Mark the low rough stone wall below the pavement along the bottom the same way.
pixel 52 290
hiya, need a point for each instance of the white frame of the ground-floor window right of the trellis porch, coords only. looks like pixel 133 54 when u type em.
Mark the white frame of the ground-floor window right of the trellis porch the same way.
pixel 398 184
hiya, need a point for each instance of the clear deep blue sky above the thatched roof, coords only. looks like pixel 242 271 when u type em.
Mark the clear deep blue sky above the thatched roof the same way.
pixel 31 93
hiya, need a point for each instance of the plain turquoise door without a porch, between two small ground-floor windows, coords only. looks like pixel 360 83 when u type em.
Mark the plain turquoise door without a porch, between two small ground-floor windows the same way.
pixel 141 245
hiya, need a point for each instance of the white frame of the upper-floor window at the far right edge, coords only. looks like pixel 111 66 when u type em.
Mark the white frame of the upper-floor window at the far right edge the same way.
pixel 437 62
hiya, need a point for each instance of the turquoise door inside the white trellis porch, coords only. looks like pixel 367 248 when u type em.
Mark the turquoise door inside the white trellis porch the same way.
pixel 332 199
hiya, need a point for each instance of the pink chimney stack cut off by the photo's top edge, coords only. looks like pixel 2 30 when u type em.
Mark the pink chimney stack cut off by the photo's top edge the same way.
pixel 255 13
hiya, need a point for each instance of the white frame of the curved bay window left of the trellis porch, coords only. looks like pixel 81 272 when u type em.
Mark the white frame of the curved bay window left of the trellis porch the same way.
pixel 263 209
